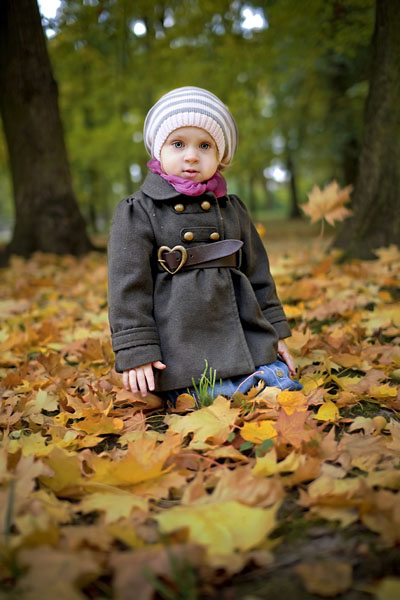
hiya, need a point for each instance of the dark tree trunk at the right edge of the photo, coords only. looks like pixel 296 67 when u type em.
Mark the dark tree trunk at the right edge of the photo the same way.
pixel 376 202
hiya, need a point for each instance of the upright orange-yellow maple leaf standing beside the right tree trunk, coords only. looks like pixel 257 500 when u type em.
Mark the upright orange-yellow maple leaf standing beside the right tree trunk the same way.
pixel 328 203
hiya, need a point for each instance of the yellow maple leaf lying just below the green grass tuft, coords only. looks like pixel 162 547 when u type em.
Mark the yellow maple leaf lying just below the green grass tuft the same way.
pixel 213 423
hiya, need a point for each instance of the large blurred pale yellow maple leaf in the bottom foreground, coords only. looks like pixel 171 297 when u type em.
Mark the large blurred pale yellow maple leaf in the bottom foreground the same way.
pixel 222 527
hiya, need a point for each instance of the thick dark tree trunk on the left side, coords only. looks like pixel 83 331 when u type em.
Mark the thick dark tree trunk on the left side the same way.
pixel 47 217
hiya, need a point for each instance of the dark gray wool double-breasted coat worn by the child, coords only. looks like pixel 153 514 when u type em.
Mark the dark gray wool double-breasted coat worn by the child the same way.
pixel 229 317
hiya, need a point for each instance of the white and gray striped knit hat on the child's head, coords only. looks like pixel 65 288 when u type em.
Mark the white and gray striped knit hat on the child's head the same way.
pixel 191 107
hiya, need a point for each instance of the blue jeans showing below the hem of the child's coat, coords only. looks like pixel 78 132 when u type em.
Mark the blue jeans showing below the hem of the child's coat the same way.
pixel 275 374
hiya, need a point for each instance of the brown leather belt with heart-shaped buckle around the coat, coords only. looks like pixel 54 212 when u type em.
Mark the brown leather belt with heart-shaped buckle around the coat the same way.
pixel 217 254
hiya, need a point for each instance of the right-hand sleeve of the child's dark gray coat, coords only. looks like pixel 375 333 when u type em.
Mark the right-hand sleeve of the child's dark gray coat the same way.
pixel 255 265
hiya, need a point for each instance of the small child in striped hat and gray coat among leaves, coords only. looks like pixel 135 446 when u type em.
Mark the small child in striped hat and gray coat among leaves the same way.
pixel 189 278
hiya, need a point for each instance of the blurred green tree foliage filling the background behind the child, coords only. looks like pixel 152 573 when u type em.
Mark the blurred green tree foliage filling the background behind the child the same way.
pixel 296 87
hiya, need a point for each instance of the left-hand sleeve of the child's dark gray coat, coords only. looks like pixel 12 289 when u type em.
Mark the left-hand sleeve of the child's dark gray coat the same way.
pixel 134 333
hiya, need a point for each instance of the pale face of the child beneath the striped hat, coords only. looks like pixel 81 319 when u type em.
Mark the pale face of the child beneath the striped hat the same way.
pixel 191 153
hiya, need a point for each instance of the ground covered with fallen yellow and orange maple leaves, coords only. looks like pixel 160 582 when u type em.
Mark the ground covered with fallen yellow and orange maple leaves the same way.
pixel 291 495
